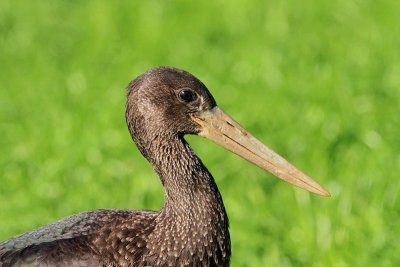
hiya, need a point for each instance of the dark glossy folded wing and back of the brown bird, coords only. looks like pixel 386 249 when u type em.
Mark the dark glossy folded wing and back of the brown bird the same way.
pixel 70 241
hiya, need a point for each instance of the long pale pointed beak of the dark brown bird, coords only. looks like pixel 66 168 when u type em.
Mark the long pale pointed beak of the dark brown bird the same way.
pixel 223 130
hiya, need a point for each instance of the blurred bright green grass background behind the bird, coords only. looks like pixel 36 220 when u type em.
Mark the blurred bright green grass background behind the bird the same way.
pixel 318 81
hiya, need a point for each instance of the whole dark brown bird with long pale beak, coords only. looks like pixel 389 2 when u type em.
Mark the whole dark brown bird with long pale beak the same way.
pixel 191 229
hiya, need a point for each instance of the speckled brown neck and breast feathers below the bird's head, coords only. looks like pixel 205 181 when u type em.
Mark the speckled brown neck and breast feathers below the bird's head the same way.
pixel 192 227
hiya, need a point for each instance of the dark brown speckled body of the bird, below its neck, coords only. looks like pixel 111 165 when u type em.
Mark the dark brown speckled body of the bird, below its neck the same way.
pixel 114 238
